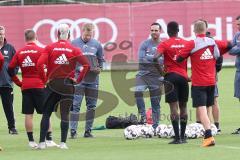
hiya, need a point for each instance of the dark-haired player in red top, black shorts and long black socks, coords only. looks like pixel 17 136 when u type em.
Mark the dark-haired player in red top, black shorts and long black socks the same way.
pixel 176 74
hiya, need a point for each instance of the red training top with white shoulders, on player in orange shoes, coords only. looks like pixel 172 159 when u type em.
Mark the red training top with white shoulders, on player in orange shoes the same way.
pixel 203 52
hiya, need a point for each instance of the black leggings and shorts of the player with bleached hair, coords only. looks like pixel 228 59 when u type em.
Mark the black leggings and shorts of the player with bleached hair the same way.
pixel 59 93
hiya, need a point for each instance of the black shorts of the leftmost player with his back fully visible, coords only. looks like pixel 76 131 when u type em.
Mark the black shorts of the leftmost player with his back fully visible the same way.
pixel 33 99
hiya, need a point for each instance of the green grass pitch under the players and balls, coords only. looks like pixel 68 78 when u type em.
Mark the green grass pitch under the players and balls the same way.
pixel 111 145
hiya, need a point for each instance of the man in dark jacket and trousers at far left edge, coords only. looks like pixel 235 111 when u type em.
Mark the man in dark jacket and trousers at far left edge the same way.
pixel 6 86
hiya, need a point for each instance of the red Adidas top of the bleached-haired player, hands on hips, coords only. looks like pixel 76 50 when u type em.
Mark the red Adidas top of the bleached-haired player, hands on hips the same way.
pixel 61 58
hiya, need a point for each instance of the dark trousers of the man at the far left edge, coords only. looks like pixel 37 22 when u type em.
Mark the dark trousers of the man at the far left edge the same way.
pixel 7 102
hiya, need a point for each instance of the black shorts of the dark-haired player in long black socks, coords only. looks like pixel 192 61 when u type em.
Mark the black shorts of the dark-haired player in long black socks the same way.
pixel 180 92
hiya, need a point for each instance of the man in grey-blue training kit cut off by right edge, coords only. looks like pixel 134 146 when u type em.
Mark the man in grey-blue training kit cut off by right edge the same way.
pixel 235 51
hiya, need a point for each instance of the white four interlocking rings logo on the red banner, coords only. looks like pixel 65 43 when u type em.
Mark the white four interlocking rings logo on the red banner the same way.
pixel 75 28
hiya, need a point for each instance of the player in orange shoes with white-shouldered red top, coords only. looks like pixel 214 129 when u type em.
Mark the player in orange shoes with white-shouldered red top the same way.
pixel 203 52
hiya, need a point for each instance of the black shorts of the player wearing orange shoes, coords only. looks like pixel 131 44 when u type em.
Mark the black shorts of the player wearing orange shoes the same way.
pixel 203 95
